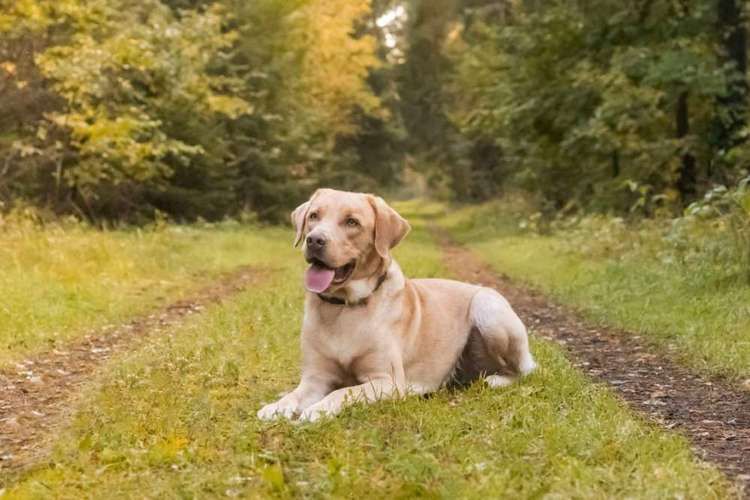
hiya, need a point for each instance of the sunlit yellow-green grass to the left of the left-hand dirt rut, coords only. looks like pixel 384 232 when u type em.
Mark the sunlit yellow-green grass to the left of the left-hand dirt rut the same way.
pixel 60 281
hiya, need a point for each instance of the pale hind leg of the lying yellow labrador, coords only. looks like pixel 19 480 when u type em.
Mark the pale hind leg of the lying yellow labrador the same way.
pixel 502 338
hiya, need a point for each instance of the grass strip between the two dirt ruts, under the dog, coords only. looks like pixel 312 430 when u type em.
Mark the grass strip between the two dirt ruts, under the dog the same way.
pixel 177 419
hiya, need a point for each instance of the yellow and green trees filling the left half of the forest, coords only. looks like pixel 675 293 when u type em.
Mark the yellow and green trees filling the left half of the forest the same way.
pixel 191 108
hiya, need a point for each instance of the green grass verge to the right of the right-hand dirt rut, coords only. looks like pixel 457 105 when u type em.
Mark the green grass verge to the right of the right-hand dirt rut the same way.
pixel 690 308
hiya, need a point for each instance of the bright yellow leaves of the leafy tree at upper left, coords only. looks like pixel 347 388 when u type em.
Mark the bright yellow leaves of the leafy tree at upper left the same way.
pixel 120 77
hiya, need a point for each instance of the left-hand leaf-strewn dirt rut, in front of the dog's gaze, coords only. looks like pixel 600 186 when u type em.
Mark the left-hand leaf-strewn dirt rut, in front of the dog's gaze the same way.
pixel 35 394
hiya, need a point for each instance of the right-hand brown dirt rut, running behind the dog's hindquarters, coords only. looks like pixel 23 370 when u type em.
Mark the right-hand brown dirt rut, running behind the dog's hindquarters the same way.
pixel 713 414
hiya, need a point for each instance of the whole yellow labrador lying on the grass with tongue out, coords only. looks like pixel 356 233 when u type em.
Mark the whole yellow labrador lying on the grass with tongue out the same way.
pixel 370 333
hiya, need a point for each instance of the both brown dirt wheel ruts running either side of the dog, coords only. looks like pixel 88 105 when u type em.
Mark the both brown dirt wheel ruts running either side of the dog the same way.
pixel 35 395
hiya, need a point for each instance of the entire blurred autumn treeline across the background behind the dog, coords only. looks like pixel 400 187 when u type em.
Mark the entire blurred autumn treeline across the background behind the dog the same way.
pixel 117 109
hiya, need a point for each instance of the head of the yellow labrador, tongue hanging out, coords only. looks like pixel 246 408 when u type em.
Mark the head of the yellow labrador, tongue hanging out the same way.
pixel 346 236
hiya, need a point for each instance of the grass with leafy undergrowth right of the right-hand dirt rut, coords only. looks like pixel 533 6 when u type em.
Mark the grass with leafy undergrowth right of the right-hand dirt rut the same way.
pixel 678 281
